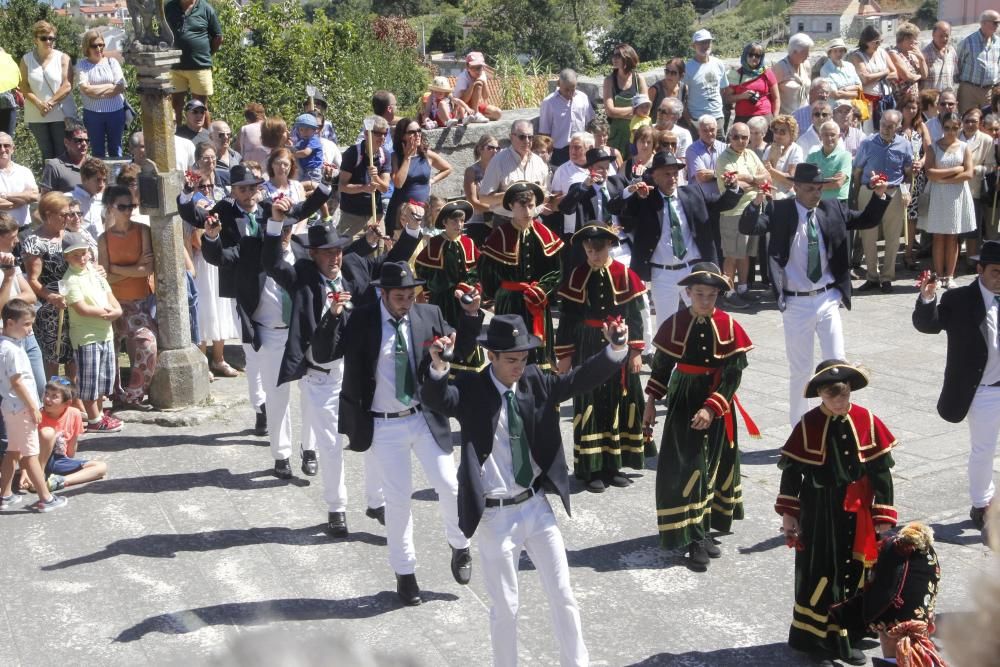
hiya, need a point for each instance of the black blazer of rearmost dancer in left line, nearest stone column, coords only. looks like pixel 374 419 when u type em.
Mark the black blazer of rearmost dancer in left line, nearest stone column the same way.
pixel 231 246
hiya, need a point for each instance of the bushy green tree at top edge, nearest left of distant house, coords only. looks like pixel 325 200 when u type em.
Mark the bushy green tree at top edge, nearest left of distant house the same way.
pixel 655 28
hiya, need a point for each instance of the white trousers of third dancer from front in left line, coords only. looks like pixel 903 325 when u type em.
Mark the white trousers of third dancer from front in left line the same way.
pixel 320 396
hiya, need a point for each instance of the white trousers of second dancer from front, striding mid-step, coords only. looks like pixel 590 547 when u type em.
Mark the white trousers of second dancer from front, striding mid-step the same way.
pixel 392 442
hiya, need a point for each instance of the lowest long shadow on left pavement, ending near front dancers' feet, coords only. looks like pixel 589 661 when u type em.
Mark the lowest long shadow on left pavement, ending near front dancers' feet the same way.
pixel 270 611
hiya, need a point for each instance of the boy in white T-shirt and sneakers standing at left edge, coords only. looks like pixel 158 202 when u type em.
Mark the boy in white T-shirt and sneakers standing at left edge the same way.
pixel 20 411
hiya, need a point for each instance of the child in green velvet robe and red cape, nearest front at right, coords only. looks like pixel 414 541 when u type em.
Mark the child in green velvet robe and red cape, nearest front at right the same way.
pixel 835 501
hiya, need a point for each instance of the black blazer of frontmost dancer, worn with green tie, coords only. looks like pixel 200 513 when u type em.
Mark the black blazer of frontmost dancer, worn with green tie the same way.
pixel 473 400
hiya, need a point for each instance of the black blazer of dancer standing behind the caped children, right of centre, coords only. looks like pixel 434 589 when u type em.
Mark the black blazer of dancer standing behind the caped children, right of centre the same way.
pixel 642 218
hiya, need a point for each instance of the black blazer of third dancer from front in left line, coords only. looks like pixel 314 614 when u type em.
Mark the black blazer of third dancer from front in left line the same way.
pixel 306 285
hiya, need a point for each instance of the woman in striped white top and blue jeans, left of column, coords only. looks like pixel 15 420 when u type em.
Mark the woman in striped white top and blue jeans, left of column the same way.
pixel 102 86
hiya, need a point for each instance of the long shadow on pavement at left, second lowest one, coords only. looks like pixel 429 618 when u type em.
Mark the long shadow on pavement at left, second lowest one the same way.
pixel 169 545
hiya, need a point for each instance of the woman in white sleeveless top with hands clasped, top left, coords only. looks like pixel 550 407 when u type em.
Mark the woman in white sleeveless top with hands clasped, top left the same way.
pixel 45 84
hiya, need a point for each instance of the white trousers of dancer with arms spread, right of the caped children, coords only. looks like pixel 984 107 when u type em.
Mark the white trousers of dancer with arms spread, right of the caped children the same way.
pixel 805 316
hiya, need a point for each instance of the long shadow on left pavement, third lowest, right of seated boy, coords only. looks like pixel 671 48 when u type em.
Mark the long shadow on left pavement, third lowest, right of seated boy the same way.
pixel 185 481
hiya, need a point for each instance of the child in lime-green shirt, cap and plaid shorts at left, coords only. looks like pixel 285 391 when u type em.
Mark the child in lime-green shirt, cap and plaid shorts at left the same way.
pixel 94 309
